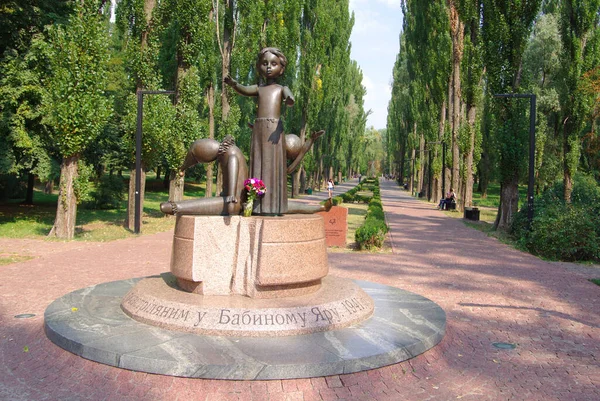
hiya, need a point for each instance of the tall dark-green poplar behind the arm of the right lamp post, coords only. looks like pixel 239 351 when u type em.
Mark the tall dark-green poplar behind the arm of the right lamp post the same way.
pixel 506 28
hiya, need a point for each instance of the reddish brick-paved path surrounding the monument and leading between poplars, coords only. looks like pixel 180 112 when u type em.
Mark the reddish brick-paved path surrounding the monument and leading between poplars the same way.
pixel 490 292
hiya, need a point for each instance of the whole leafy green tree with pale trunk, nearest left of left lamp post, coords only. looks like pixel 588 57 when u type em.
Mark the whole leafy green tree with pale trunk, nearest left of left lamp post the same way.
pixel 76 105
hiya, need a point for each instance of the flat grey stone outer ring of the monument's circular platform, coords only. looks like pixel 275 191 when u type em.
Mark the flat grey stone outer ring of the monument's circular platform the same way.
pixel 89 322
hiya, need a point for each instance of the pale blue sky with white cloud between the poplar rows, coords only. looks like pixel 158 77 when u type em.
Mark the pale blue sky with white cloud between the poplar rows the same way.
pixel 375 45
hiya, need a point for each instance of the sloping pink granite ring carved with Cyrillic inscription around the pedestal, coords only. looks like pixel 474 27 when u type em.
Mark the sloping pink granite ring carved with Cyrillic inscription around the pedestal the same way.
pixel 157 301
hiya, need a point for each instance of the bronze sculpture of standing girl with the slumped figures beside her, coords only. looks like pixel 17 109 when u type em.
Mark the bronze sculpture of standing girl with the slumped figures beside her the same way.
pixel 269 151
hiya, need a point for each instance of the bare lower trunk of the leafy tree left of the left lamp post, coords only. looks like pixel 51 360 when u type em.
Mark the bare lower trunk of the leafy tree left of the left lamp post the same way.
pixel 66 210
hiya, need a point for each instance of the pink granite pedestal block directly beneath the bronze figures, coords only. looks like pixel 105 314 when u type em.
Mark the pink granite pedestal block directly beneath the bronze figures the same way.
pixel 258 256
